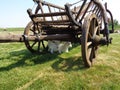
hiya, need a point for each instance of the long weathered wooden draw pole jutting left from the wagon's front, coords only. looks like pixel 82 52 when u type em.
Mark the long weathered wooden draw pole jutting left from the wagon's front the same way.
pixel 21 38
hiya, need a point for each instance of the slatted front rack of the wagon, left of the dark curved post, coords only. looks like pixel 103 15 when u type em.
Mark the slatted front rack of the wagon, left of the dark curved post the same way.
pixel 55 15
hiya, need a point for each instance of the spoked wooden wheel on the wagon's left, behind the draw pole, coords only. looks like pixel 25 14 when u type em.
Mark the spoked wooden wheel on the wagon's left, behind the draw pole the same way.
pixel 37 46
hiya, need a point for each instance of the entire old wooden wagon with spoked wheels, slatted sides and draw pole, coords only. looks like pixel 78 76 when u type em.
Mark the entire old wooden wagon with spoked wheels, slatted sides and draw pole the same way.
pixel 85 22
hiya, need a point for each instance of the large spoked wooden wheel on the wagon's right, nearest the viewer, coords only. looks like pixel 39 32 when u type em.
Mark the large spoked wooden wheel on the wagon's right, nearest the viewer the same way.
pixel 88 46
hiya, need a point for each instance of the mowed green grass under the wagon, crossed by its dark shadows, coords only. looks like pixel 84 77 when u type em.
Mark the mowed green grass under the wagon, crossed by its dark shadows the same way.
pixel 22 70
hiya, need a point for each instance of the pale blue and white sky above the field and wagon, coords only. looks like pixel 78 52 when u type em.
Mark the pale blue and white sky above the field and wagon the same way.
pixel 13 12
